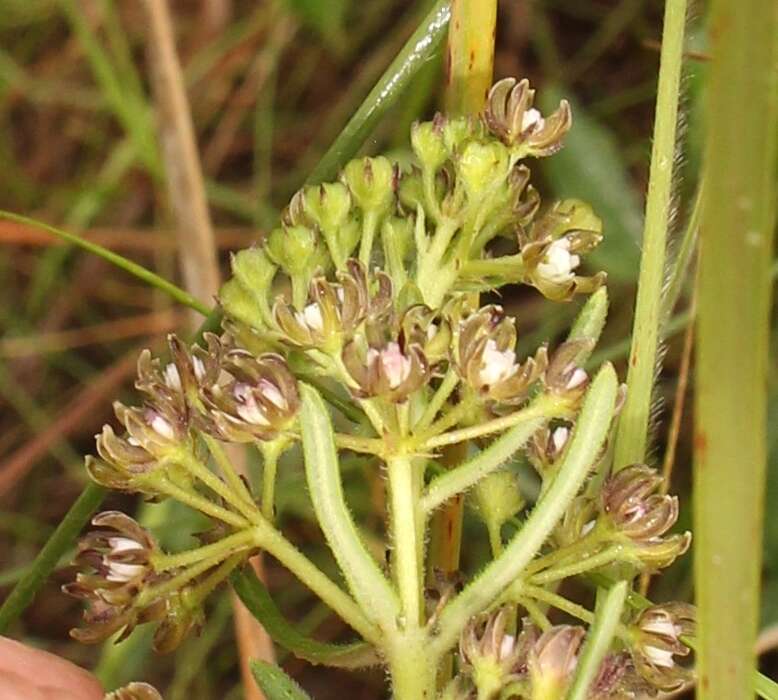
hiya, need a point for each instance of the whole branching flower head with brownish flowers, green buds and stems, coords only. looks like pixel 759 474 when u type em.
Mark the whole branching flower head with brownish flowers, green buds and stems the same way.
pixel 358 326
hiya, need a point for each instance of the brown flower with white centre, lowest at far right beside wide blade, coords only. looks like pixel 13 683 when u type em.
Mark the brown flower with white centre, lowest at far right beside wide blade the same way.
pixel 657 641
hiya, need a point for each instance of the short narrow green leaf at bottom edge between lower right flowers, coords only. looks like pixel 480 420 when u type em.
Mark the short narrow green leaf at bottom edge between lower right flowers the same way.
pixel 598 640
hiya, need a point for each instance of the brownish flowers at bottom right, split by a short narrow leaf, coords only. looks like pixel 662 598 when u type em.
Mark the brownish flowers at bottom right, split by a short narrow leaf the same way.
pixel 497 660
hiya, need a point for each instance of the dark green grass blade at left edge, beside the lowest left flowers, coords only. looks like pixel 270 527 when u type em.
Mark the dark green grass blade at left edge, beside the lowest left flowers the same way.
pixel 59 542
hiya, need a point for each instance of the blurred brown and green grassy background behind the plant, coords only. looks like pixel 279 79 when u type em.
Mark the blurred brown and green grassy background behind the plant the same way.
pixel 270 85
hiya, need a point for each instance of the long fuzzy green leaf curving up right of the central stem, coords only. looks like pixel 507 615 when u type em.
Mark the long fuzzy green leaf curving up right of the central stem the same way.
pixel 588 437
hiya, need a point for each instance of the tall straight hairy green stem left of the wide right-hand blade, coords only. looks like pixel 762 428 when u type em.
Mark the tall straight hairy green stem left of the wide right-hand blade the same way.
pixel 632 434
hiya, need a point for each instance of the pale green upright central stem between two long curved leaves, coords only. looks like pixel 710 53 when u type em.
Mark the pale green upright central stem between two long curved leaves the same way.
pixel 407 536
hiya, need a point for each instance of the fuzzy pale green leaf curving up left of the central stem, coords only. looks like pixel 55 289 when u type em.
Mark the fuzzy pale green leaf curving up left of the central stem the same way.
pixel 368 584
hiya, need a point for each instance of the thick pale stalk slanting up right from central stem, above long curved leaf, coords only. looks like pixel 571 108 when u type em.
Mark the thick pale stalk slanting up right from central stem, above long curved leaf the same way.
pixel 466 475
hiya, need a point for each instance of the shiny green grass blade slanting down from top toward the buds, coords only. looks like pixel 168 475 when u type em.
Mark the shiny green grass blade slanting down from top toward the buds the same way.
pixel 423 43
